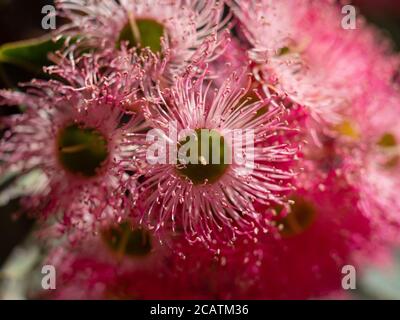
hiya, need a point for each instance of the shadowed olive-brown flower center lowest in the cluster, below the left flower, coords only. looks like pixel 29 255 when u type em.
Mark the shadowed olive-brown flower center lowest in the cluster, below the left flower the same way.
pixel 125 240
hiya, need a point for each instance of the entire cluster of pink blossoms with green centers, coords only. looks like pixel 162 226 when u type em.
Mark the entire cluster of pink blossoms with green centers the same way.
pixel 323 105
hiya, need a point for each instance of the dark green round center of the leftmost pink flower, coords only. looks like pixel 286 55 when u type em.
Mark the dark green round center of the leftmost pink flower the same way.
pixel 81 151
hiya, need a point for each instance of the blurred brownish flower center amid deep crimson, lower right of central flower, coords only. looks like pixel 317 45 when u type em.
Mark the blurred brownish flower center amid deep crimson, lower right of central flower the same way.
pixel 301 216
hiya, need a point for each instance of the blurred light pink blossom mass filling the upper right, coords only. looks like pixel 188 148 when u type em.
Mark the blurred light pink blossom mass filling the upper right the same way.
pixel 343 76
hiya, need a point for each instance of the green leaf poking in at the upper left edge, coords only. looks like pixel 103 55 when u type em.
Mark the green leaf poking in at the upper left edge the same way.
pixel 31 54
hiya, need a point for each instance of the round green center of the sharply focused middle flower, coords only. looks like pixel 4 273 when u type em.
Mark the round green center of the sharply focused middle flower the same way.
pixel 201 156
